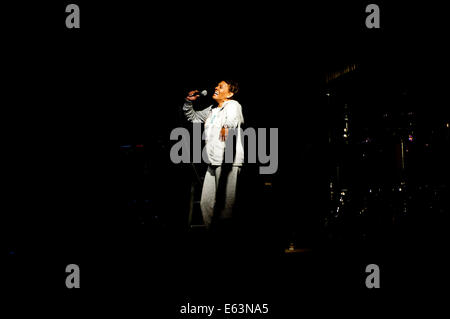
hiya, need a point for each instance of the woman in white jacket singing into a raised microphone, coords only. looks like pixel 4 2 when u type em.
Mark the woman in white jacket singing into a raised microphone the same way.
pixel 221 179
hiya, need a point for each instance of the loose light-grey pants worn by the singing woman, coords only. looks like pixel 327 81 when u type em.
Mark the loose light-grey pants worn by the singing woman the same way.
pixel 219 193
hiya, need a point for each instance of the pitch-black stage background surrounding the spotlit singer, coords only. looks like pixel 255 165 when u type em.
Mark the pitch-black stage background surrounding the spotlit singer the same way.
pixel 88 178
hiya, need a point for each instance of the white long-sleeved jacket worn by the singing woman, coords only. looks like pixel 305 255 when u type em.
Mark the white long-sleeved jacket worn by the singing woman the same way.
pixel 229 115
